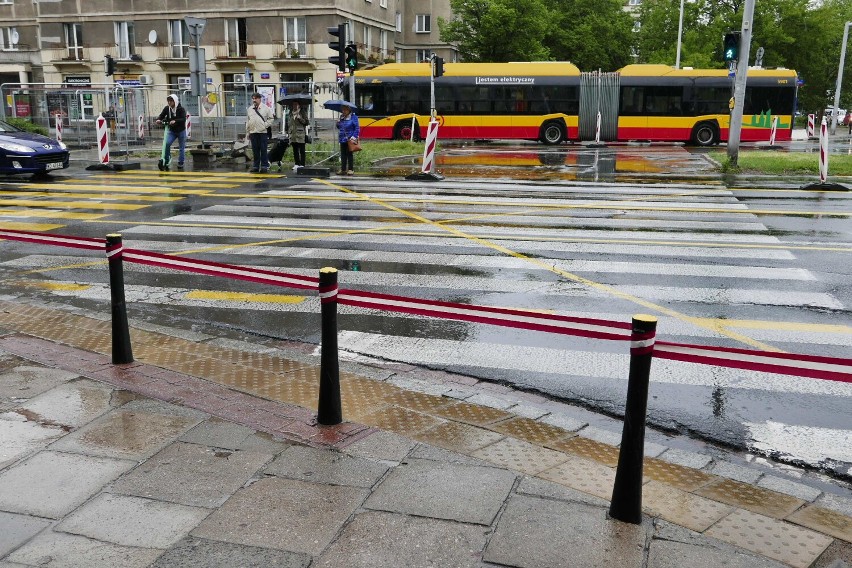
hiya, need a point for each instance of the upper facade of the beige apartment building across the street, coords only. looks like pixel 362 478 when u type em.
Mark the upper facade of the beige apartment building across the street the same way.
pixel 65 42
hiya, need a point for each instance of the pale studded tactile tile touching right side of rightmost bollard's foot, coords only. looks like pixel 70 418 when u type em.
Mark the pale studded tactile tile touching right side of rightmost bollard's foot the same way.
pixel 682 508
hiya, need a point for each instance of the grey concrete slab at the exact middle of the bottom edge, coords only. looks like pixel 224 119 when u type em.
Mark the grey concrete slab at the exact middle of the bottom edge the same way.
pixel 390 540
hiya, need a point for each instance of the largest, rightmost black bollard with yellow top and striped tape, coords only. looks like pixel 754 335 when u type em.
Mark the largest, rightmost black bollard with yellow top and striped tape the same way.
pixel 626 502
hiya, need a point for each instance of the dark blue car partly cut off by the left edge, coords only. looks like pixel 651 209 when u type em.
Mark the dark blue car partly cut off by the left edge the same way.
pixel 29 153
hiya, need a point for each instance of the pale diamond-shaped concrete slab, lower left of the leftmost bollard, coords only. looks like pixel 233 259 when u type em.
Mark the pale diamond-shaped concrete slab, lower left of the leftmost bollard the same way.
pixel 72 404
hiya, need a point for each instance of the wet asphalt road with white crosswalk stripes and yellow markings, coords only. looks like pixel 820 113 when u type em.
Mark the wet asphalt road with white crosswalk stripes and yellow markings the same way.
pixel 604 233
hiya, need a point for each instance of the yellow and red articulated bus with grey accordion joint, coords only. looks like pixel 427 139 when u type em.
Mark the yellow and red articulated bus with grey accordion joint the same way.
pixel 554 102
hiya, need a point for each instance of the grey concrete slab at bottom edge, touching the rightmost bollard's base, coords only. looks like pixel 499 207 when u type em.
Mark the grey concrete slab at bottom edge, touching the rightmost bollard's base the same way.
pixel 530 526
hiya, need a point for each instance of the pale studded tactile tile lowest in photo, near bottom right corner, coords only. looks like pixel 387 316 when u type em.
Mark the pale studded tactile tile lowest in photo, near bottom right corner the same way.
pixel 793 545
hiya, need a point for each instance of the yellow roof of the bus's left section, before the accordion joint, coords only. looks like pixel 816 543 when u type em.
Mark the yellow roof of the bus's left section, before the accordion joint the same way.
pixel 536 68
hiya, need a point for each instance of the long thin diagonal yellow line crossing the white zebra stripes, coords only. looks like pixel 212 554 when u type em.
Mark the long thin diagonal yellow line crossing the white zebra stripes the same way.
pixel 585 281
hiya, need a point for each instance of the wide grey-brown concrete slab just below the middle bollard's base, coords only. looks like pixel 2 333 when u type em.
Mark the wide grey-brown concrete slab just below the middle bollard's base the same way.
pixel 326 466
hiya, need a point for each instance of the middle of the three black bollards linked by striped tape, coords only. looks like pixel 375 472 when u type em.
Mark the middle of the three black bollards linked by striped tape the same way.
pixel 329 410
